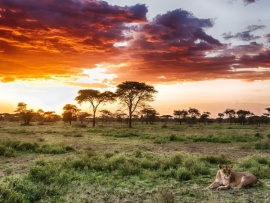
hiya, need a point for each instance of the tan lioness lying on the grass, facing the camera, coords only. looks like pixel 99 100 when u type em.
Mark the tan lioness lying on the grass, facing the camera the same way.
pixel 226 178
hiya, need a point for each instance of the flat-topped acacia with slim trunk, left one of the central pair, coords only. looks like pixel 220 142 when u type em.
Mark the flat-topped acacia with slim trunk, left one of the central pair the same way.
pixel 95 98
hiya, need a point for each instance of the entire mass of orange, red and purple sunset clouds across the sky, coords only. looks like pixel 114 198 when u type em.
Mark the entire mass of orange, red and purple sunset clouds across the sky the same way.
pixel 50 39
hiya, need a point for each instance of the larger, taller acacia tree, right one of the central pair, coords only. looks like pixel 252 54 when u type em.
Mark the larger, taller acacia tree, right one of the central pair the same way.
pixel 133 95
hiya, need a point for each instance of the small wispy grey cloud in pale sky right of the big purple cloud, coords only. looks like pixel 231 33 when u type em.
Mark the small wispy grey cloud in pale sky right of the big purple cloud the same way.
pixel 245 35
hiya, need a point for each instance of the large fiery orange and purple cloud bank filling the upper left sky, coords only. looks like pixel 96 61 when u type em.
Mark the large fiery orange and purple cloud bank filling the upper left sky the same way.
pixel 51 37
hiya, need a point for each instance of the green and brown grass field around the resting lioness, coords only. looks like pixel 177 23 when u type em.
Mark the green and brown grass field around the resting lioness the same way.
pixel 112 163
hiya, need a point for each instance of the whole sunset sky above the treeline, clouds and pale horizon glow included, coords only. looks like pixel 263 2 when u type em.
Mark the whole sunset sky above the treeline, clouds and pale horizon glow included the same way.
pixel 211 55
